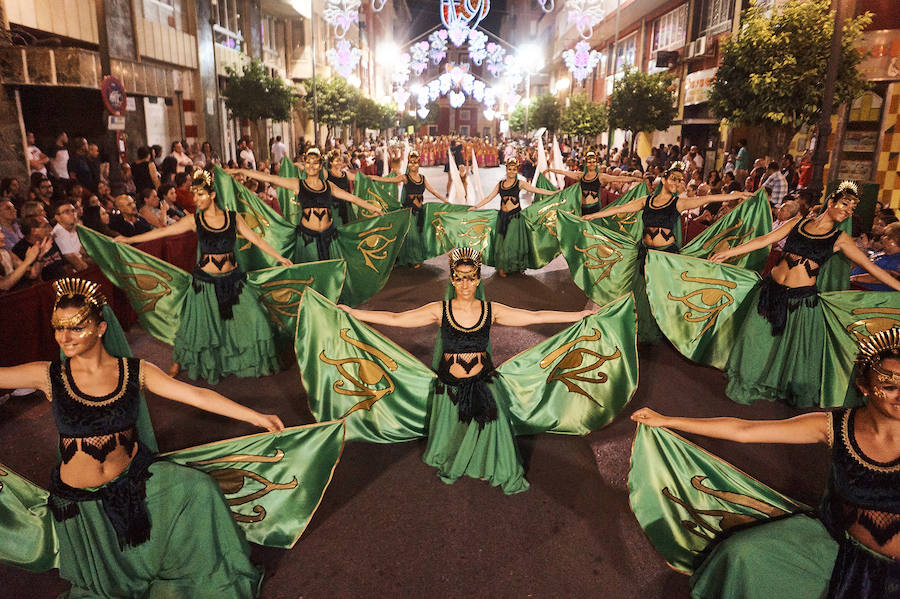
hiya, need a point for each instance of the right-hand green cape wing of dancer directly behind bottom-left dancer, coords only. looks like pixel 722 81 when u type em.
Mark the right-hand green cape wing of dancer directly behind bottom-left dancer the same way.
pixel 280 288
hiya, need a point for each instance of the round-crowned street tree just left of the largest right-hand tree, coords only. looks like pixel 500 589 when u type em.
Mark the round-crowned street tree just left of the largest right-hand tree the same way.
pixel 642 102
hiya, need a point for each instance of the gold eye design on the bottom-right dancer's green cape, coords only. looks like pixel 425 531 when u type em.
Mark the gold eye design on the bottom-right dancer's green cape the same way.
pixel 699 523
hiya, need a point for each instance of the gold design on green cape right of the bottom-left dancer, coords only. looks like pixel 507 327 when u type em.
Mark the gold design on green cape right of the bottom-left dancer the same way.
pixel 232 481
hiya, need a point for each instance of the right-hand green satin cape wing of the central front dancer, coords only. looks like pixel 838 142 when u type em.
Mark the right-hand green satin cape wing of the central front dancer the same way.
pixel 578 380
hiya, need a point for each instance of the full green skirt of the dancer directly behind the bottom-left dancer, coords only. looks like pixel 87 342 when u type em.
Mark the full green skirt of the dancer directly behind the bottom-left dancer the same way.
pixel 208 347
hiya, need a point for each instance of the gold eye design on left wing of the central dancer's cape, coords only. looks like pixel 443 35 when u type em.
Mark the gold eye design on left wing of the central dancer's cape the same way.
pixel 369 374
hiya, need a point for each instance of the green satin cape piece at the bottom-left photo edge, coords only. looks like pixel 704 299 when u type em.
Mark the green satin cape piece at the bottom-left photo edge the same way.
pixel 27 537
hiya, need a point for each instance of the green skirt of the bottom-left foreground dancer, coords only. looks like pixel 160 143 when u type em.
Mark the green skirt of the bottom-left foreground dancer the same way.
pixel 195 549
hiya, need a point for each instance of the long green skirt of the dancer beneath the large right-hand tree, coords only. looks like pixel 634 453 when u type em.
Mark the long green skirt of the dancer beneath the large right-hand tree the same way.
pixel 786 366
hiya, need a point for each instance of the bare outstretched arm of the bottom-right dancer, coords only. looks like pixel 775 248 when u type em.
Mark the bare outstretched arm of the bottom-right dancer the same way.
pixel 806 428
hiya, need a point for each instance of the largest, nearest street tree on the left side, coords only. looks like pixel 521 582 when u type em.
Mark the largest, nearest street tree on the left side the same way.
pixel 252 94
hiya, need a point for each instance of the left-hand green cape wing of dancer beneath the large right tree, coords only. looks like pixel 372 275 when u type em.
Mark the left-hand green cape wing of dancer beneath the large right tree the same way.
pixel 699 305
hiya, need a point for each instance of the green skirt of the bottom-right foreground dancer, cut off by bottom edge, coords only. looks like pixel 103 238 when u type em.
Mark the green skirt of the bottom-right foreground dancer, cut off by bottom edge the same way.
pixel 791 558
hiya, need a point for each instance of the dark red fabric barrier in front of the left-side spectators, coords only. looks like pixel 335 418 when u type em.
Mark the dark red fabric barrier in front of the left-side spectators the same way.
pixel 25 314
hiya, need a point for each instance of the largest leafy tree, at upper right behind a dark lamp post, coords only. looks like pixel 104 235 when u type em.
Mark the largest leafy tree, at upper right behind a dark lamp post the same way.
pixel 772 75
